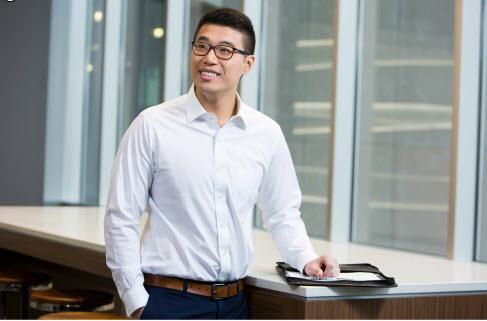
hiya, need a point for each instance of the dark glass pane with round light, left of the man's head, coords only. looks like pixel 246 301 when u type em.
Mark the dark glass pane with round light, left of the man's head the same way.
pixel 143 79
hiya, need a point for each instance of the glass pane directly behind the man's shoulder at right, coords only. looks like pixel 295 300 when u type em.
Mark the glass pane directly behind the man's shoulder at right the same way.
pixel 296 92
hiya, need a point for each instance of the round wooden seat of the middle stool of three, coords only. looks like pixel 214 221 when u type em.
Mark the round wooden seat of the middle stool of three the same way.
pixel 54 300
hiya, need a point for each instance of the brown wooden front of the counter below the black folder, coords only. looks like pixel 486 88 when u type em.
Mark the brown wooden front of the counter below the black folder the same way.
pixel 266 304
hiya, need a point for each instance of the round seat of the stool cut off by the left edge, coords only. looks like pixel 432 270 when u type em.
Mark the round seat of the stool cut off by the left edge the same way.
pixel 15 279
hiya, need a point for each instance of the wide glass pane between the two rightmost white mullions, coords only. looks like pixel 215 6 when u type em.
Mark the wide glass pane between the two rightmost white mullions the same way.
pixel 402 152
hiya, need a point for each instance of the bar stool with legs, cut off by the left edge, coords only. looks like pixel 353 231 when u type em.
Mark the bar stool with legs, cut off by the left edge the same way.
pixel 24 283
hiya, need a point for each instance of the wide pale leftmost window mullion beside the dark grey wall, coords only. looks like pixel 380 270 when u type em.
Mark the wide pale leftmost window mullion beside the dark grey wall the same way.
pixel 67 69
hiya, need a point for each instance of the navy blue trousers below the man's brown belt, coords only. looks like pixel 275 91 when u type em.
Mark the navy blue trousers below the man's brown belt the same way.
pixel 173 304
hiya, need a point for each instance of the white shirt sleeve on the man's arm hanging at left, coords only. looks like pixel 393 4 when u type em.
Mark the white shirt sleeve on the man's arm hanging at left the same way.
pixel 130 181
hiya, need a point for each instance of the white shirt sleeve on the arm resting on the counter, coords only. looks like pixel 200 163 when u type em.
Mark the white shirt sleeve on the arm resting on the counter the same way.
pixel 279 200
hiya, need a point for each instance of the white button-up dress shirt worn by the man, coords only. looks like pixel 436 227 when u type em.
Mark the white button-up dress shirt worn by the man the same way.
pixel 200 184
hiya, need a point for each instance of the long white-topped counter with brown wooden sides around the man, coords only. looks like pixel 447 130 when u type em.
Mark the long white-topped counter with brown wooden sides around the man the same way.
pixel 429 286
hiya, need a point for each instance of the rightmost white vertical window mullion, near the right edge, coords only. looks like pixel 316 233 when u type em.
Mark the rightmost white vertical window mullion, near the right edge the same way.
pixel 466 89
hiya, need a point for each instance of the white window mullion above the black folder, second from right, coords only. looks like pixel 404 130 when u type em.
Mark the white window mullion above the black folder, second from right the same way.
pixel 343 106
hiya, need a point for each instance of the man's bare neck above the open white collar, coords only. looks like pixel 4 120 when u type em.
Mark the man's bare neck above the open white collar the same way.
pixel 223 106
